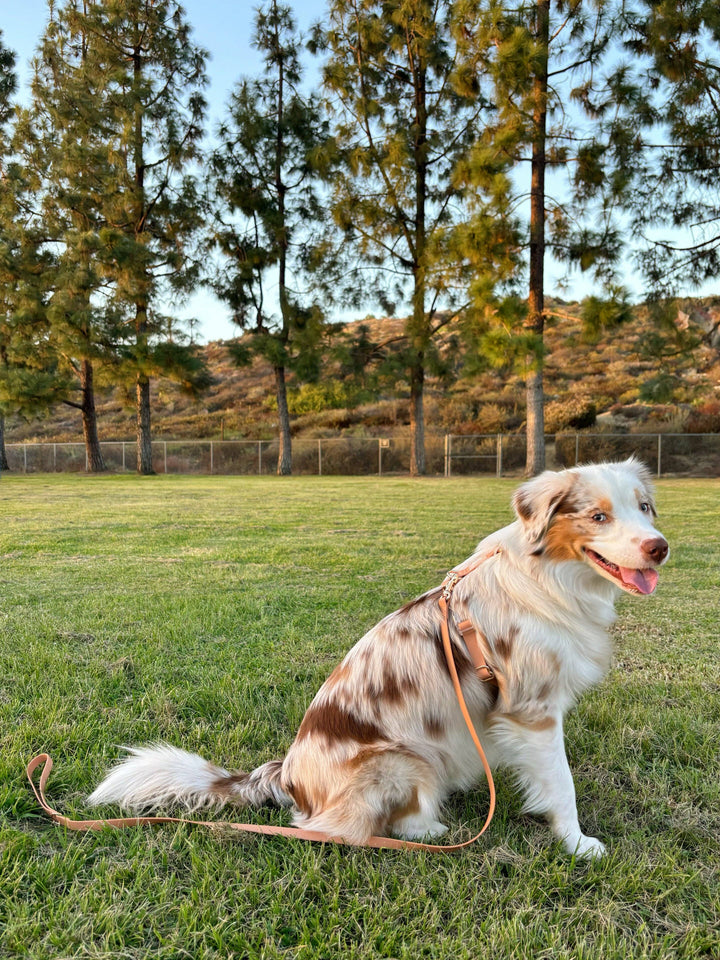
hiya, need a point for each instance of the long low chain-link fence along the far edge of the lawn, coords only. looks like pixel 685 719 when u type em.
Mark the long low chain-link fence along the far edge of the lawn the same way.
pixel 689 455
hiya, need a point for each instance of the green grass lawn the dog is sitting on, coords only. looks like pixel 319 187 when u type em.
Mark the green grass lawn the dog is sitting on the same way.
pixel 207 611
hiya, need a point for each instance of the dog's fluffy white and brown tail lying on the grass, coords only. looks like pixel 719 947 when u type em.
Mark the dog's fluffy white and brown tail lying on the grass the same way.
pixel 161 776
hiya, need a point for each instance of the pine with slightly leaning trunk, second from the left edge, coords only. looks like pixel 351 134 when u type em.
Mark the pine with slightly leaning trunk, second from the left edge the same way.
pixel 64 141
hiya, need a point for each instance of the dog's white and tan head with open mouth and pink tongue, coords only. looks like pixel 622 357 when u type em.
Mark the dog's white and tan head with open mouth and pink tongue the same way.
pixel 602 515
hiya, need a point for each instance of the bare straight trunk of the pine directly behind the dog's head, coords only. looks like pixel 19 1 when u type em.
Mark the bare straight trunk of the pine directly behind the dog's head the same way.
pixel 535 462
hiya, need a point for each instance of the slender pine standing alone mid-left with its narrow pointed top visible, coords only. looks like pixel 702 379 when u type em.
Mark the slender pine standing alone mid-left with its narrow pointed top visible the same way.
pixel 268 212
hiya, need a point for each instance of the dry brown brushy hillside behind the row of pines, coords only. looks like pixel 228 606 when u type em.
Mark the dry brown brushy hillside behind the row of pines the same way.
pixel 608 378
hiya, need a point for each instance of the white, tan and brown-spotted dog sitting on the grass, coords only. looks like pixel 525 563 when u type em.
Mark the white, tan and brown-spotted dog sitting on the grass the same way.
pixel 383 743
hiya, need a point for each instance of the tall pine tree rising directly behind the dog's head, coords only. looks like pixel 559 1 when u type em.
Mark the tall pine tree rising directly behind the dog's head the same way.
pixel 541 73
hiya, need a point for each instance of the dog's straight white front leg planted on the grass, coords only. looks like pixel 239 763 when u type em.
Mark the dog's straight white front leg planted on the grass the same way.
pixel 534 749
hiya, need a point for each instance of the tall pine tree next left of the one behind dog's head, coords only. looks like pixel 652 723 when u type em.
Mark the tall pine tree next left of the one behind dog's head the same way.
pixel 407 107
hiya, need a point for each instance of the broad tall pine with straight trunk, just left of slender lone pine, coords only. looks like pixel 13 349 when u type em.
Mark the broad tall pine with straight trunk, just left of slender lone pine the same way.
pixel 118 114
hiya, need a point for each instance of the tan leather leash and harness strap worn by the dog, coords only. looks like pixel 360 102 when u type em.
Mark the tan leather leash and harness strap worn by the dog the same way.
pixel 475 642
